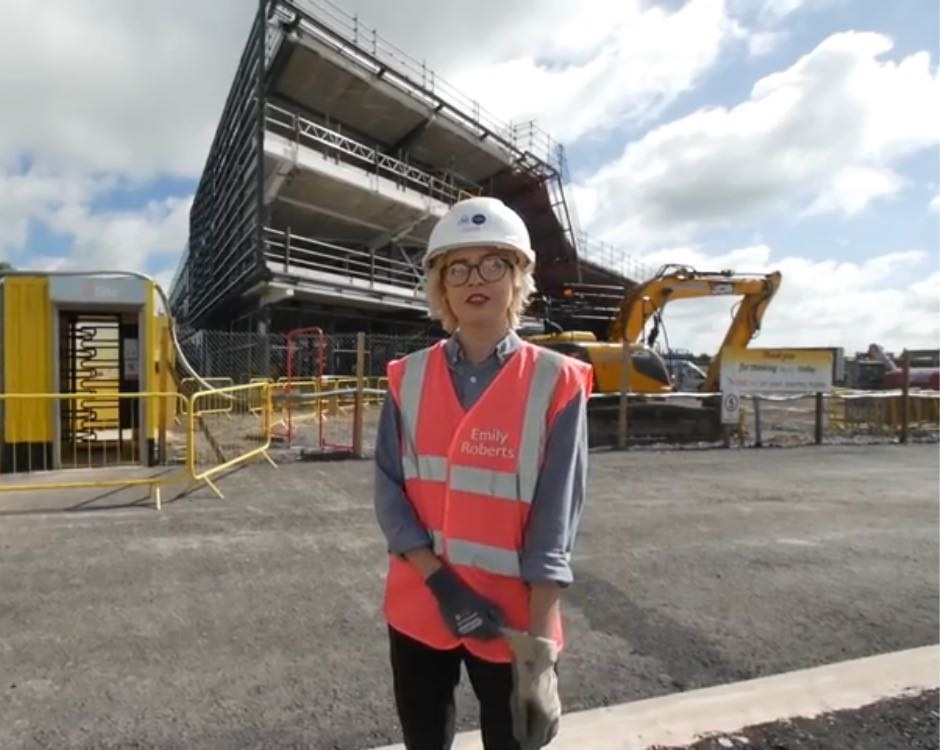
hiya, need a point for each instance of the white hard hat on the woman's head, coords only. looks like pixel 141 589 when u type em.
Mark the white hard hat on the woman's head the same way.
pixel 480 222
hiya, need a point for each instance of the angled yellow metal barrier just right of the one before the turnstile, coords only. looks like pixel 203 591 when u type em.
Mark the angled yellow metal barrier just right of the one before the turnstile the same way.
pixel 244 434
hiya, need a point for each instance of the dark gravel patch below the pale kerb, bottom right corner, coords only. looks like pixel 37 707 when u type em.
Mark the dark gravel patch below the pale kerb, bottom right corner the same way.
pixel 909 722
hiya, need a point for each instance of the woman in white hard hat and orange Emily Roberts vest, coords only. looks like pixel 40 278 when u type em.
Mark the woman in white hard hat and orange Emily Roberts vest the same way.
pixel 481 461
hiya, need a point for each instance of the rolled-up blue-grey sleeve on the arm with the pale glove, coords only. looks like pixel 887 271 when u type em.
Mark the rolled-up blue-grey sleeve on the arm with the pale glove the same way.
pixel 559 498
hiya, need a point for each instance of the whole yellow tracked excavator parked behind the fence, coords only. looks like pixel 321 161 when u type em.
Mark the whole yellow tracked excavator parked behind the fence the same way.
pixel 650 418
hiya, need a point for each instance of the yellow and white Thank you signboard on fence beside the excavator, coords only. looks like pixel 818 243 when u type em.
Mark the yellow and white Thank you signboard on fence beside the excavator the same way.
pixel 756 371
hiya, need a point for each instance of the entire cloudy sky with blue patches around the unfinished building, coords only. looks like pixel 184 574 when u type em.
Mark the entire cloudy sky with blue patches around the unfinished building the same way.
pixel 799 135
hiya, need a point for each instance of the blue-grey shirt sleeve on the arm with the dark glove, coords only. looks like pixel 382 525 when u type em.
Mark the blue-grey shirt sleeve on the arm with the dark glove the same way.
pixel 396 516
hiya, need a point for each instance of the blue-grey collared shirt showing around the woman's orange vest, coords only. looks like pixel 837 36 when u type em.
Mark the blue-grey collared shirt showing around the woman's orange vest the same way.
pixel 559 495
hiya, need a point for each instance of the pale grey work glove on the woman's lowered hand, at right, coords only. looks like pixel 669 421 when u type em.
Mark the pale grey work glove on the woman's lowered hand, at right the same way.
pixel 535 704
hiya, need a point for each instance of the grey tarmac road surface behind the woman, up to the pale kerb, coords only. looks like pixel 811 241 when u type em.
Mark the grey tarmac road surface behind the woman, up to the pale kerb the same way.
pixel 254 621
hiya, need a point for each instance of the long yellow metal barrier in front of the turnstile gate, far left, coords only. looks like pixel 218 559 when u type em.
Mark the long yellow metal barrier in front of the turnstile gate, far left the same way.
pixel 46 433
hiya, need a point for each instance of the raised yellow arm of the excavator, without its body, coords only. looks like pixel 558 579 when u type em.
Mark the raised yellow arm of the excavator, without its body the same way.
pixel 674 282
